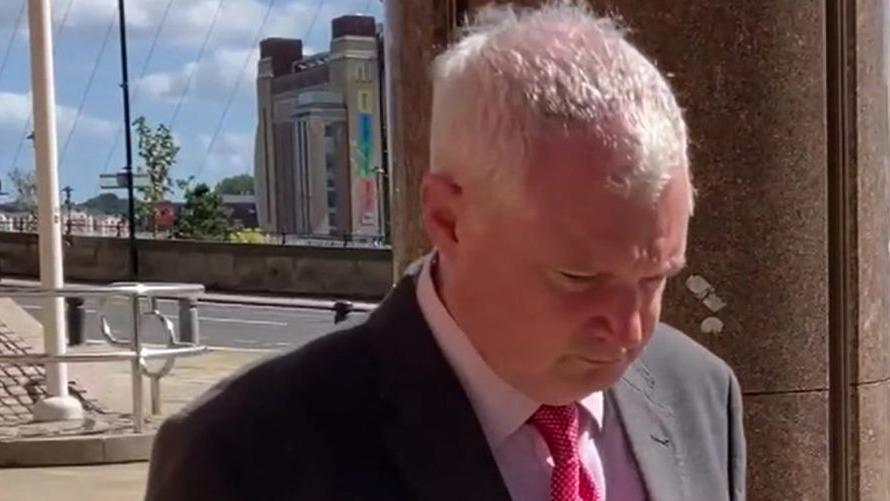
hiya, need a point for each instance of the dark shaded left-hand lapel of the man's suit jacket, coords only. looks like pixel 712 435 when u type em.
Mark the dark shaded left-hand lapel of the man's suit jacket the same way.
pixel 434 435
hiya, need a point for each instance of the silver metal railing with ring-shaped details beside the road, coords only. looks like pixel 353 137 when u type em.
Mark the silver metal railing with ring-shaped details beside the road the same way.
pixel 137 354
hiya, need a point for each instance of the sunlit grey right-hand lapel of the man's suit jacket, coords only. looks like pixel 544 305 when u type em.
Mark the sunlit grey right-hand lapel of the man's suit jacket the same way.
pixel 651 430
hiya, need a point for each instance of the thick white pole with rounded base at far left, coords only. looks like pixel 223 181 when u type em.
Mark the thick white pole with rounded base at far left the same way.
pixel 59 404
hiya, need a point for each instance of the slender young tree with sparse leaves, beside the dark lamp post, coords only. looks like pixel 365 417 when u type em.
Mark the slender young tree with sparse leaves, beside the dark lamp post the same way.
pixel 158 151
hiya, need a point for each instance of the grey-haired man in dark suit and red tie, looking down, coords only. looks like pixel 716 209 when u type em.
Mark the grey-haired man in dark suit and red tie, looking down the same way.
pixel 523 359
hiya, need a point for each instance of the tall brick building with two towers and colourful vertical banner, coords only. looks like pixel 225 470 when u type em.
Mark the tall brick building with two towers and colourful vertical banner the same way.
pixel 319 142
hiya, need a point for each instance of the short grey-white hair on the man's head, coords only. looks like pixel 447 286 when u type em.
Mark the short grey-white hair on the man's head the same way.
pixel 517 75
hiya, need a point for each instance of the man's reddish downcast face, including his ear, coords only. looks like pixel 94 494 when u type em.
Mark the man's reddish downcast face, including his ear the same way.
pixel 559 299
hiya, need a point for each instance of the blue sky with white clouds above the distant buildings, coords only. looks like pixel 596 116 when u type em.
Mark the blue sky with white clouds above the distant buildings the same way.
pixel 191 67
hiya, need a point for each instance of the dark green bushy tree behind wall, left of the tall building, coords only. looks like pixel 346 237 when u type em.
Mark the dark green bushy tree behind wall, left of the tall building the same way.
pixel 202 216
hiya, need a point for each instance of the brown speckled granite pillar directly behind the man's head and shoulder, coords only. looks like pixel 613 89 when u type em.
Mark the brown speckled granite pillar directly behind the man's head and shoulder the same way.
pixel 794 192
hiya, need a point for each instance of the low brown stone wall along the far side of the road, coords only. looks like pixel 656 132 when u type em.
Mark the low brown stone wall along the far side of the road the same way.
pixel 239 268
